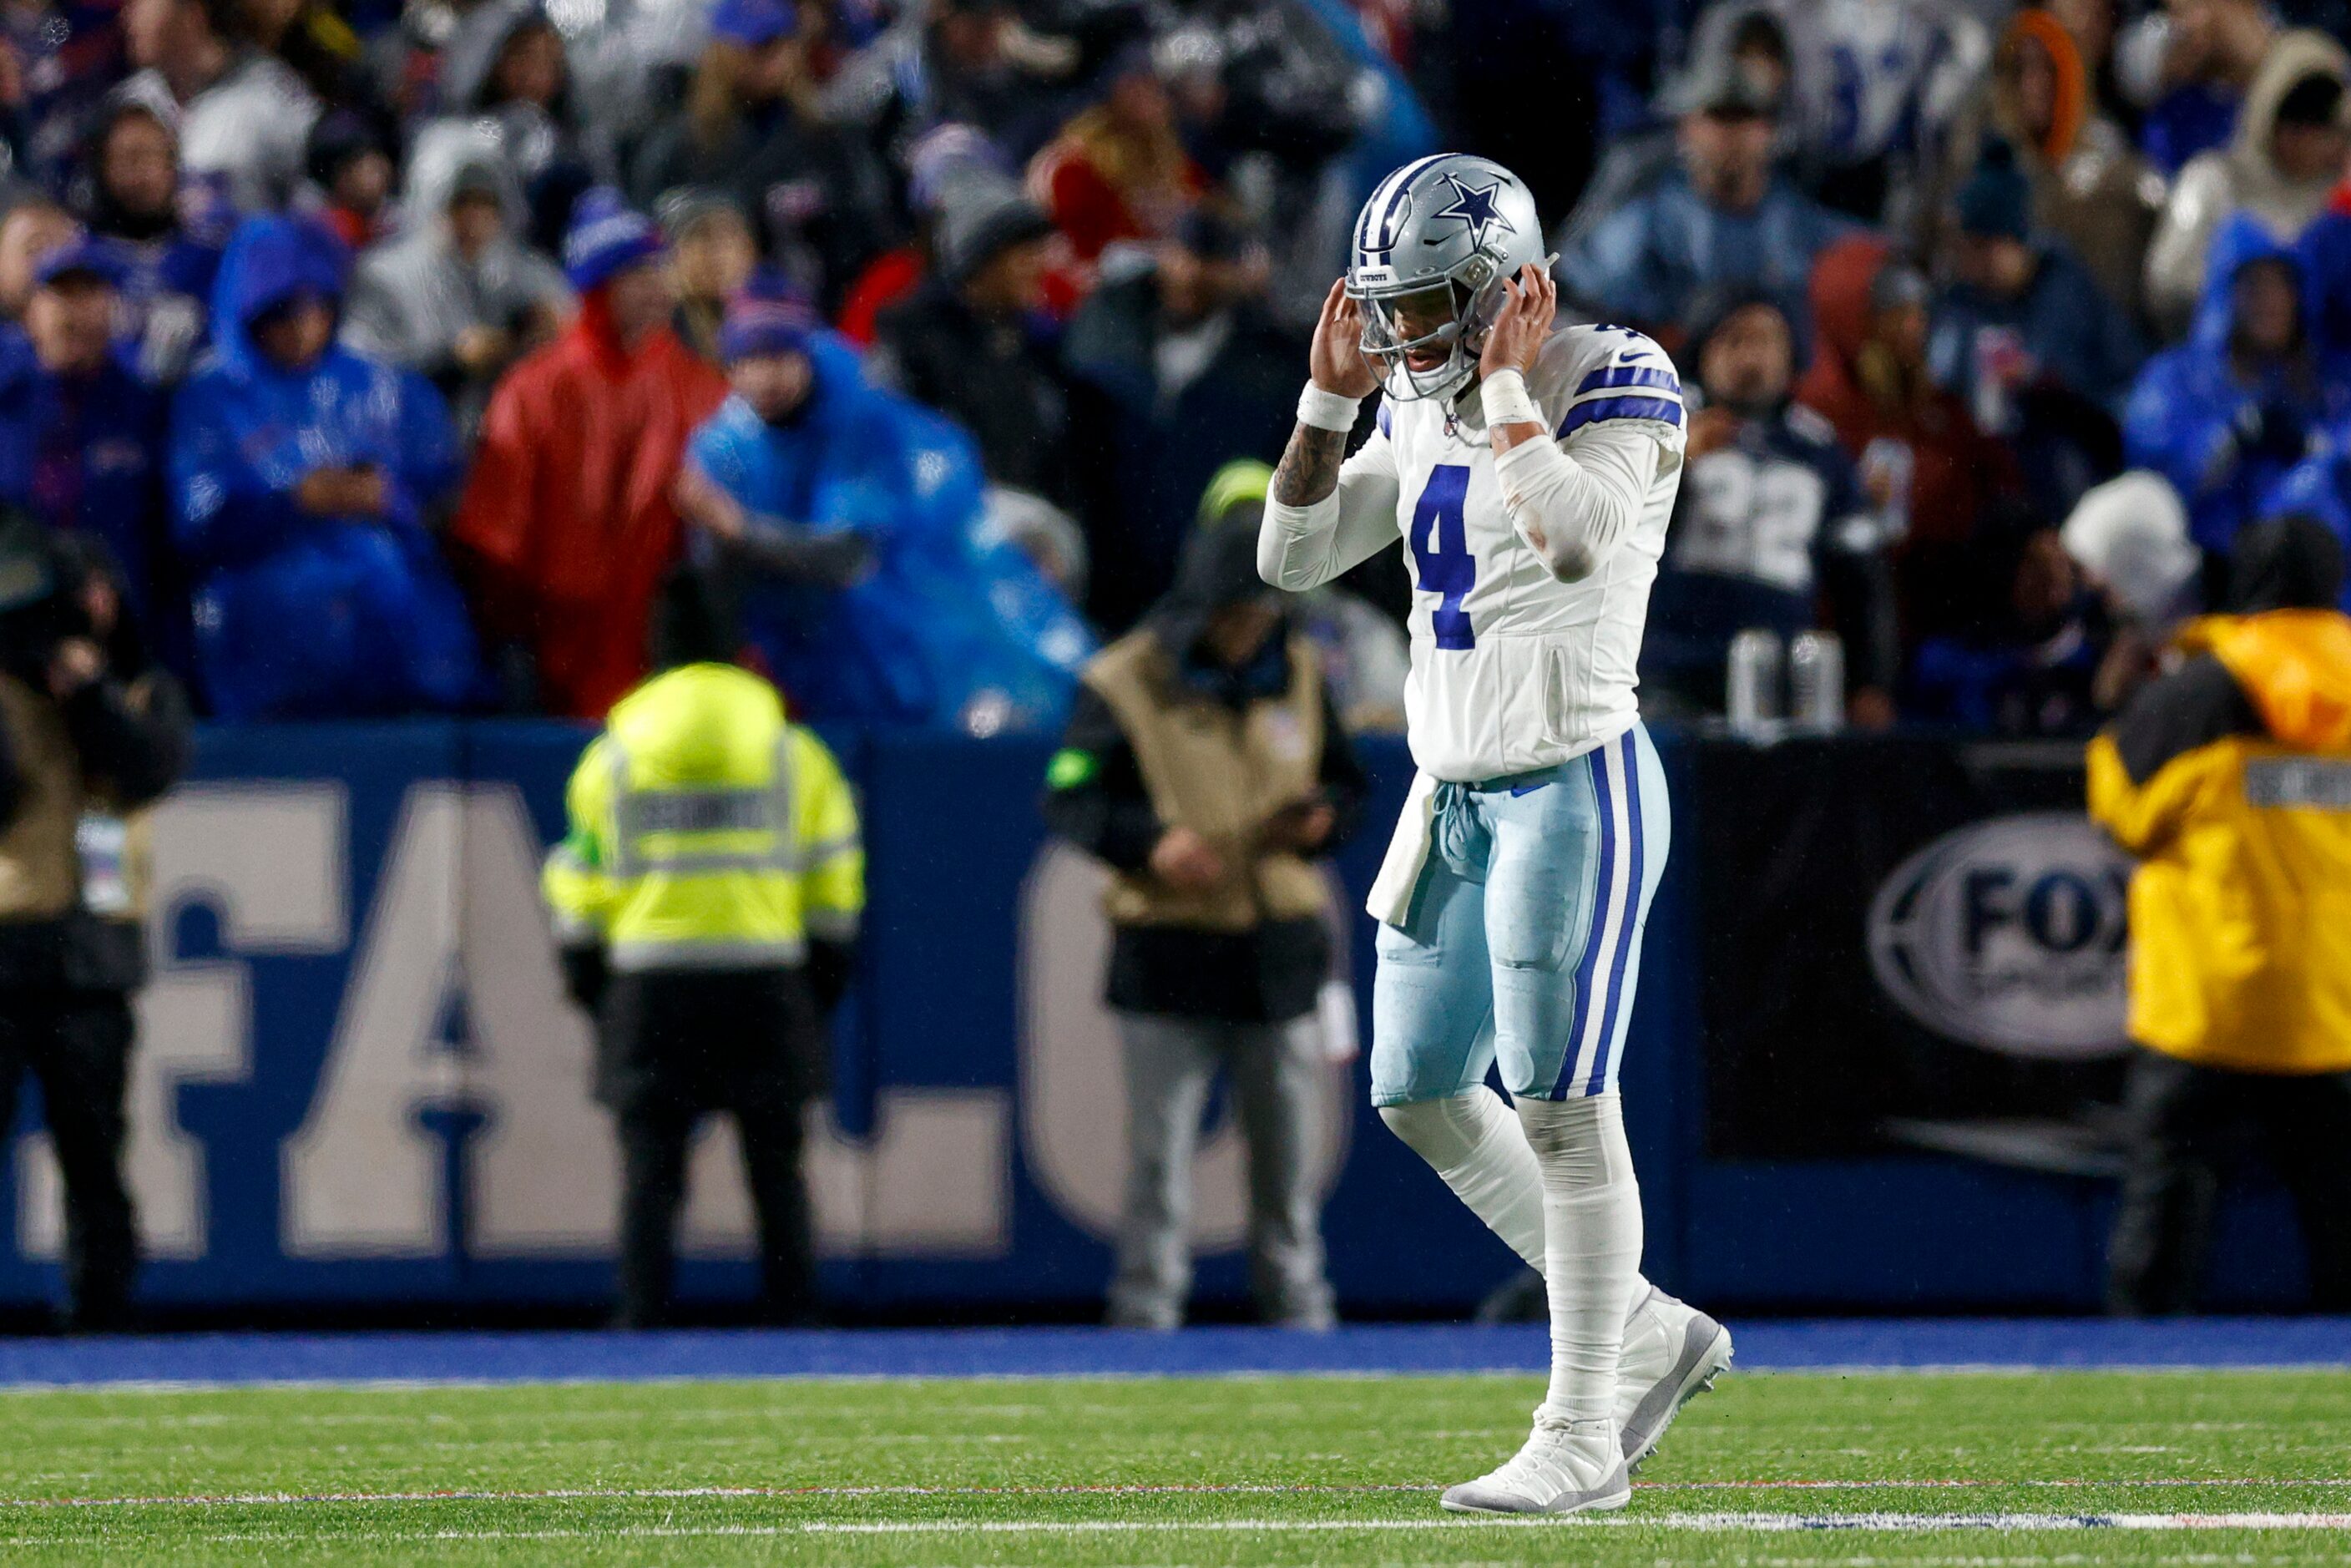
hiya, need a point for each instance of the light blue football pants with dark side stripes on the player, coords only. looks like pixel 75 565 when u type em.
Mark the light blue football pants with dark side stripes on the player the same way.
pixel 1525 932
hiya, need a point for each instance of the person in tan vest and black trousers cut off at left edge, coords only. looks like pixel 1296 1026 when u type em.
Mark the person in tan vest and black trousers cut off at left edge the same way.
pixel 88 739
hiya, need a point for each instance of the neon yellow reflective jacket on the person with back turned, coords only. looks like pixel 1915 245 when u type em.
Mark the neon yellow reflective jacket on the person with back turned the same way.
pixel 706 831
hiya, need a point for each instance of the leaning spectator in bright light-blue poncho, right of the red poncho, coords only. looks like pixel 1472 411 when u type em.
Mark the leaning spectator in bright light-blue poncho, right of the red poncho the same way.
pixel 848 525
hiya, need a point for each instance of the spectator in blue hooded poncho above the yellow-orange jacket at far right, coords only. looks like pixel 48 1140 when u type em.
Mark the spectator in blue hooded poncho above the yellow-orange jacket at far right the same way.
pixel 2235 408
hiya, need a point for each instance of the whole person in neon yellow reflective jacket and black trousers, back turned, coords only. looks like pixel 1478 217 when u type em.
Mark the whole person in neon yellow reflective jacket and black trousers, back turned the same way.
pixel 706 902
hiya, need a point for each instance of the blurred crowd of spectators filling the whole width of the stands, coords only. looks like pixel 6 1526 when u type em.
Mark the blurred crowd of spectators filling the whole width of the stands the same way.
pixel 398 354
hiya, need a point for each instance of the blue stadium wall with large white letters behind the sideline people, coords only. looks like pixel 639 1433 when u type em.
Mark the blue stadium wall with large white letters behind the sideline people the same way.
pixel 361 1085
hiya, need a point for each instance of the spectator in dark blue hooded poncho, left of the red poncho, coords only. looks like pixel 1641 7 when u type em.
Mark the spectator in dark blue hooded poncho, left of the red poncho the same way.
pixel 302 488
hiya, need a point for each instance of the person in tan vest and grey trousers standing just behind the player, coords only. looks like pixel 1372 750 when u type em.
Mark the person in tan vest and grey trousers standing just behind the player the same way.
pixel 1205 765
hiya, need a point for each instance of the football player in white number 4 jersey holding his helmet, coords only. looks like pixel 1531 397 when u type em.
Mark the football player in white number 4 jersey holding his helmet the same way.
pixel 1532 476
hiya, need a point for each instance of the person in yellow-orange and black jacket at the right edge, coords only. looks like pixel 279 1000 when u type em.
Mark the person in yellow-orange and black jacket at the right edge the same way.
pixel 2230 779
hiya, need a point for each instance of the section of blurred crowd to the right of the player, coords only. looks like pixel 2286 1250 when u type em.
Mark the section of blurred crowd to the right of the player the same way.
pixel 2009 323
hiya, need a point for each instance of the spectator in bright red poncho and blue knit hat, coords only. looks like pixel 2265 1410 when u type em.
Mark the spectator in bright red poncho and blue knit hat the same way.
pixel 568 523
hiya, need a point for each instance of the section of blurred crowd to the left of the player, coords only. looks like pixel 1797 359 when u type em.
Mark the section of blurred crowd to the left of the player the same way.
pixel 401 354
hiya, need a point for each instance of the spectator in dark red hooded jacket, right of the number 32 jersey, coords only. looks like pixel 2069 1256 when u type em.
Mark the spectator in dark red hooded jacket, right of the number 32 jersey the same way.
pixel 1924 462
